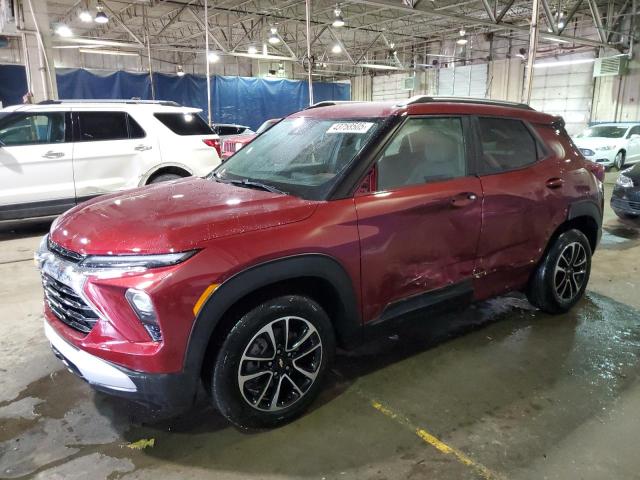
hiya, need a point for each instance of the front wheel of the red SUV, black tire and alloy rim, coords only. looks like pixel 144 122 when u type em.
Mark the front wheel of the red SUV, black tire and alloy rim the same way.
pixel 247 403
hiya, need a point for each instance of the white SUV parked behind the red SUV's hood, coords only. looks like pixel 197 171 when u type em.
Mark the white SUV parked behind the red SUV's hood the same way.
pixel 56 154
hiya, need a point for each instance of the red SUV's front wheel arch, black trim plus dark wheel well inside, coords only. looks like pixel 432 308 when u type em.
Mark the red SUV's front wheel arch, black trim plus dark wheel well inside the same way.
pixel 318 276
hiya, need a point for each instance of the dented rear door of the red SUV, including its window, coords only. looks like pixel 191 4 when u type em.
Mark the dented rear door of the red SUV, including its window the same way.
pixel 523 202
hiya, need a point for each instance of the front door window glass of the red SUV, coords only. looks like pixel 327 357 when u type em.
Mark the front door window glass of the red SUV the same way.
pixel 424 150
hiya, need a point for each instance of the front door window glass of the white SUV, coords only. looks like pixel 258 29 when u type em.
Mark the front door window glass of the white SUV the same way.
pixel 32 128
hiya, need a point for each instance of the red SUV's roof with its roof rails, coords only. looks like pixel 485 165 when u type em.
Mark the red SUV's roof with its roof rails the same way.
pixel 425 105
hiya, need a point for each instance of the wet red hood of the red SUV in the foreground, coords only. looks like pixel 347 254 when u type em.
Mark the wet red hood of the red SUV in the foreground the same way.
pixel 173 216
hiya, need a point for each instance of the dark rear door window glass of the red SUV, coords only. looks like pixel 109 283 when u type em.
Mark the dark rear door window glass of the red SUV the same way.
pixel 506 145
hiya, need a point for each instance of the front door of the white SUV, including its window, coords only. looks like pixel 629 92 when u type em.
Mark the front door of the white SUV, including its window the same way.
pixel 36 171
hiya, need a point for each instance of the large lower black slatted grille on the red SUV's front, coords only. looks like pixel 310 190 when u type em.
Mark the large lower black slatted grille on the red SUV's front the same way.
pixel 67 305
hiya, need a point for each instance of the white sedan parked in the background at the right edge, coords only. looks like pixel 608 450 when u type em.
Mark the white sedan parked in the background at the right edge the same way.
pixel 611 144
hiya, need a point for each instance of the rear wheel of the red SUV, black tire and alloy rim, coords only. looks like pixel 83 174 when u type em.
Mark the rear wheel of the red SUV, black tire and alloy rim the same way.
pixel 547 288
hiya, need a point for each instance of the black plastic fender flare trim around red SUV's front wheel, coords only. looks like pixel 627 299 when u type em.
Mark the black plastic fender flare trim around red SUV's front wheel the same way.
pixel 348 325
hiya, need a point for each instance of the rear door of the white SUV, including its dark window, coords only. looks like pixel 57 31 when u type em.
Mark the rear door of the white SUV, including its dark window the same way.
pixel 111 152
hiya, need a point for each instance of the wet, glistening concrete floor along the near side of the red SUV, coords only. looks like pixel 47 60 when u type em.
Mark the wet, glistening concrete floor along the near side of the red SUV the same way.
pixel 597 346
